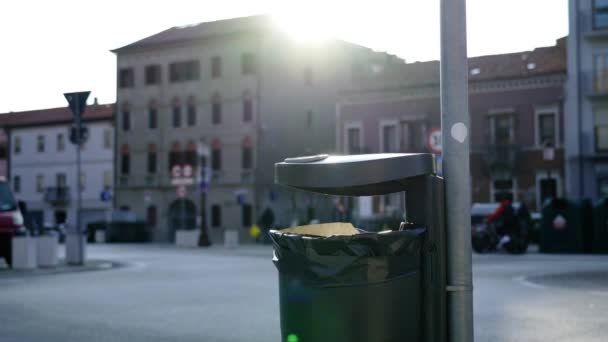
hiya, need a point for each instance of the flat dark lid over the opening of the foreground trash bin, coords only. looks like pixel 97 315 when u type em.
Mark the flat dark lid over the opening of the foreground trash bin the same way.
pixel 354 175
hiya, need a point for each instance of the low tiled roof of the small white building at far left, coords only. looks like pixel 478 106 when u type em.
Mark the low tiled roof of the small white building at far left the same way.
pixel 50 116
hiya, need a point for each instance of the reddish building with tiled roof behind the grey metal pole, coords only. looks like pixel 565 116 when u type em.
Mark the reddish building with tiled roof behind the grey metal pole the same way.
pixel 516 104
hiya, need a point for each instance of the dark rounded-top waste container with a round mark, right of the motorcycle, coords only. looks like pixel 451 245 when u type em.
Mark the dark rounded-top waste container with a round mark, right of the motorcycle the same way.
pixel 561 227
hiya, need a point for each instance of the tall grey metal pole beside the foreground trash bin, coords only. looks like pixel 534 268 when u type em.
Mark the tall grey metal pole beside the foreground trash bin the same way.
pixel 455 127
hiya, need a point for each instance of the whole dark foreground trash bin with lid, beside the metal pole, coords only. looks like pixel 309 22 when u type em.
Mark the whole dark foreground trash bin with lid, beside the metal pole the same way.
pixel 369 287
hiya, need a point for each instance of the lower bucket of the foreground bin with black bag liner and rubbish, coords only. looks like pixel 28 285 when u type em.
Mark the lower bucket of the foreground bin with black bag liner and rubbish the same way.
pixel 338 283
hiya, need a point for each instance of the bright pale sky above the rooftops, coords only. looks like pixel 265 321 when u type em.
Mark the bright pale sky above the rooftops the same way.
pixel 52 47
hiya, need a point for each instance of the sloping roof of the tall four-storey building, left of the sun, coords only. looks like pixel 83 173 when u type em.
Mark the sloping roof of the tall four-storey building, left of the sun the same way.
pixel 201 31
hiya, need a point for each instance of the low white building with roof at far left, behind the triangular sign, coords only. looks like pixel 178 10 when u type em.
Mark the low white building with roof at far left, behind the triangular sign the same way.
pixel 42 163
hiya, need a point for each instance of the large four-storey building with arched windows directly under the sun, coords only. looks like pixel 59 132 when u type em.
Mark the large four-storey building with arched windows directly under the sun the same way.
pixel 245 92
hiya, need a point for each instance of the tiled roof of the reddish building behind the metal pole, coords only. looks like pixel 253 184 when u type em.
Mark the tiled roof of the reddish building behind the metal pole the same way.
pixel 540 61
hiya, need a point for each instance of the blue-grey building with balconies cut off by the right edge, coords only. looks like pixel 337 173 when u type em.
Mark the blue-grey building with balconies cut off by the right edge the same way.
pixel 587 100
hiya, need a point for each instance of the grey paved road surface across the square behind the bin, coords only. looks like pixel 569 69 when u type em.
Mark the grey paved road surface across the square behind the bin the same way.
pixel 167 294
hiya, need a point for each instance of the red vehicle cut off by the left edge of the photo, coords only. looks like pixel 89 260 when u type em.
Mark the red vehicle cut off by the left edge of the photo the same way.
pixel 10 221
